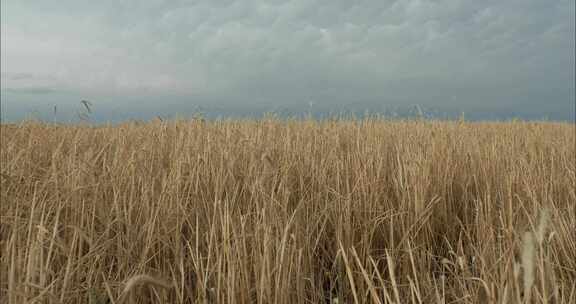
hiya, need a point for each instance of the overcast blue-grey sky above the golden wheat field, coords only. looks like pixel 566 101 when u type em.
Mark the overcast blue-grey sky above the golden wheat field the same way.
pixel 140 57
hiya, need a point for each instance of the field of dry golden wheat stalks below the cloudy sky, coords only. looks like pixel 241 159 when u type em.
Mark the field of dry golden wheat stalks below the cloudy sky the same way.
pixel 288 211
